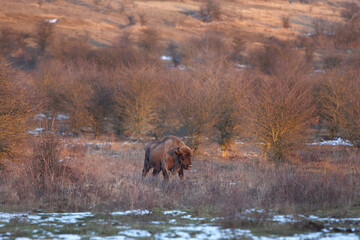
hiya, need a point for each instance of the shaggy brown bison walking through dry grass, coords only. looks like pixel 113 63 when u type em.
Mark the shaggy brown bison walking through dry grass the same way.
pixel 170 155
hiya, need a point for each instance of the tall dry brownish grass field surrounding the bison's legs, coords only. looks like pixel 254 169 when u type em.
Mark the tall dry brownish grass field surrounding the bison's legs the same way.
pixel 108 177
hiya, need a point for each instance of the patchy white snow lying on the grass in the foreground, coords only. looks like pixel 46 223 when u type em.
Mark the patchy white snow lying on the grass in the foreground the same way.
pixel 195 230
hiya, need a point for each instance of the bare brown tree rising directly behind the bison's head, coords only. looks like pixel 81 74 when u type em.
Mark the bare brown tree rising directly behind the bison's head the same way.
pixel 194 94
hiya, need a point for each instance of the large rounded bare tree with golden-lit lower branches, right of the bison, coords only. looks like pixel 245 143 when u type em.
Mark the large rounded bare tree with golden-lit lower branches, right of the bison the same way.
pixel 280 105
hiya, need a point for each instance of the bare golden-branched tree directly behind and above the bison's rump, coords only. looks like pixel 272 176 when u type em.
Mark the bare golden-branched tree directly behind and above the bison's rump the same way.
pixel 136 100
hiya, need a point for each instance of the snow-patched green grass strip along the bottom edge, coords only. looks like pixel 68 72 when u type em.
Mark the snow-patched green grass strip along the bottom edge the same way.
pixel 145 224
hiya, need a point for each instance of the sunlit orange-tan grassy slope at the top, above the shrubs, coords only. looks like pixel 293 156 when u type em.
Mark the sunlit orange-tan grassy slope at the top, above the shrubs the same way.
pixel 102 22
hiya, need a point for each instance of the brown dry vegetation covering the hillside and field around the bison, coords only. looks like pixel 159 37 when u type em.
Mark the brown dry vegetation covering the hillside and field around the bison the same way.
pixel 239 78
